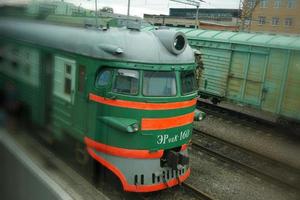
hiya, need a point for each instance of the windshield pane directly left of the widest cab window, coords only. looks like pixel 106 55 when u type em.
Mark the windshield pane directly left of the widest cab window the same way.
pixel 126 81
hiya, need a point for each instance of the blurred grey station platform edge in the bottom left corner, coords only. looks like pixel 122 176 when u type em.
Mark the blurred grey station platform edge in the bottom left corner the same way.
pixel 30 171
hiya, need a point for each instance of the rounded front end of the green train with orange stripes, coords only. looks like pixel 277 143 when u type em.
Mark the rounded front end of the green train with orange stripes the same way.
pixel 144 114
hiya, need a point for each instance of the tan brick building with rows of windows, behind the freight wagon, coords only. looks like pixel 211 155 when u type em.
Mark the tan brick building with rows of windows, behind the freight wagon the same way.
pixel 279 16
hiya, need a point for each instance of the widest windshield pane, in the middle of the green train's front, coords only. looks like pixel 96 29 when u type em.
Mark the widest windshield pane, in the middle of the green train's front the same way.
pixel 162 84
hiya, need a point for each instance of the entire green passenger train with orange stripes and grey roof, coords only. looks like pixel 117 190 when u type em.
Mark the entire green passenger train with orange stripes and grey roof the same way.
pixel 129 96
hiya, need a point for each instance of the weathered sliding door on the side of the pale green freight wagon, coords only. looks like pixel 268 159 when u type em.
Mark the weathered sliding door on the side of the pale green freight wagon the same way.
pixel 245 83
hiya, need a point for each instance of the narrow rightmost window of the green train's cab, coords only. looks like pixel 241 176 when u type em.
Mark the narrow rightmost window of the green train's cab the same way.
pixel 188 82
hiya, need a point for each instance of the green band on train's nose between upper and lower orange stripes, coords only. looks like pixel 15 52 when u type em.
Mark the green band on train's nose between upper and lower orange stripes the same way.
pixel 141 139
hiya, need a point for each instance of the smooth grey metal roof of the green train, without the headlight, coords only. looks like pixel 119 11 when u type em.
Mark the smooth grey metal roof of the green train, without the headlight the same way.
pixel 137 46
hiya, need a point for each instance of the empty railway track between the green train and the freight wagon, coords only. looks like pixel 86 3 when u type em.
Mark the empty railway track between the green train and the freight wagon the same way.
pixel 251 162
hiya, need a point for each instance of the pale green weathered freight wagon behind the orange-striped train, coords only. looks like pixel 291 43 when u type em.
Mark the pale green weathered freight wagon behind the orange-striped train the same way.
pixel 254 73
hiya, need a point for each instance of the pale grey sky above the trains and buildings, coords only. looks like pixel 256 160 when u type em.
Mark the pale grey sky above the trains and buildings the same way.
pixel 139 7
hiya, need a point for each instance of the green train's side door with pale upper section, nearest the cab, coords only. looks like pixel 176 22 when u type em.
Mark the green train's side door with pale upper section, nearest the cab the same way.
pixel 70 98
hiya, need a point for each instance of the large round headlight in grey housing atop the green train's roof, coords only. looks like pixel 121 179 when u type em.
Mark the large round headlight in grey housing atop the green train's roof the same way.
pixel 174 41
